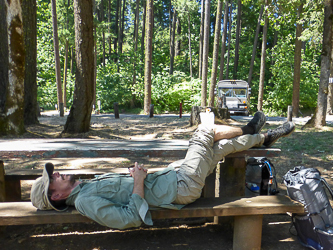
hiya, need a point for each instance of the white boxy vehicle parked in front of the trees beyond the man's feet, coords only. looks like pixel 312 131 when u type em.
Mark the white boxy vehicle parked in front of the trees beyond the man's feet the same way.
pixel 236 95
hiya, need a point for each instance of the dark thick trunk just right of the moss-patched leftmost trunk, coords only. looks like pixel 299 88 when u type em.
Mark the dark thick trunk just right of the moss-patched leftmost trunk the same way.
pixel 29 9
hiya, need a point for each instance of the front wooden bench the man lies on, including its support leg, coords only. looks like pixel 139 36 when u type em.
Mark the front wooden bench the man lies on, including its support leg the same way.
pixel 247 212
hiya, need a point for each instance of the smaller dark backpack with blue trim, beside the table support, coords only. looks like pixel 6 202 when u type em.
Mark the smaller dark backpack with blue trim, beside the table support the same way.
pixel 260 177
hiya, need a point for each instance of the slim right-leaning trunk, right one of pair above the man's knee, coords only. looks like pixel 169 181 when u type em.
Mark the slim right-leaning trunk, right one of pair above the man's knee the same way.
pixel 215 54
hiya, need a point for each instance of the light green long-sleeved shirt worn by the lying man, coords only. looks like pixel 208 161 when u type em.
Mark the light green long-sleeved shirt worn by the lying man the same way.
pixel 108 199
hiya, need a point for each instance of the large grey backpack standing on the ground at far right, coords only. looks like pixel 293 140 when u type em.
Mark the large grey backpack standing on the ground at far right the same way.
pixel 315 227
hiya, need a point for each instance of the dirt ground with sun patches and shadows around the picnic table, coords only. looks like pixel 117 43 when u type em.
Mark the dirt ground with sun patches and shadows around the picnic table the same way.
pixel 307 147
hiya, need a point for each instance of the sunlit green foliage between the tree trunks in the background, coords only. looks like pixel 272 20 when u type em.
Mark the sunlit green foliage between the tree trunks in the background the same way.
pixel 115 78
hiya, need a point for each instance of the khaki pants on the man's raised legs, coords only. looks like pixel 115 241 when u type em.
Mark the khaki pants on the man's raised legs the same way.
pixel 202 157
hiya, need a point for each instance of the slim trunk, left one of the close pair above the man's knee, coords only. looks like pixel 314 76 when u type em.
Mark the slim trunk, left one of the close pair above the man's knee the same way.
pixel 205 55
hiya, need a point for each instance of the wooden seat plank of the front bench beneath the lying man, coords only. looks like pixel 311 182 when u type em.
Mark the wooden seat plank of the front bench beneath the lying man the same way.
pixel 23 213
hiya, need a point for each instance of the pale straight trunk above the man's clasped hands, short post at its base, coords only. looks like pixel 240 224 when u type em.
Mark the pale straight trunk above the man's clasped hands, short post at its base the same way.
pixel 148 54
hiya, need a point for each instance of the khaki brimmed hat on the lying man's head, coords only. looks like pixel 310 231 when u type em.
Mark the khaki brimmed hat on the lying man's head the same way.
pixel 39 190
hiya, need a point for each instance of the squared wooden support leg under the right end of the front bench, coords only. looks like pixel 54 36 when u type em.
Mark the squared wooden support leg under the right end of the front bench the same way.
pixel 247 232
